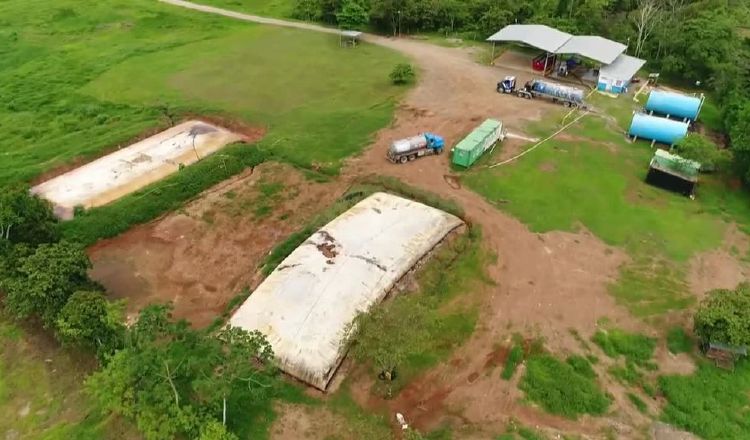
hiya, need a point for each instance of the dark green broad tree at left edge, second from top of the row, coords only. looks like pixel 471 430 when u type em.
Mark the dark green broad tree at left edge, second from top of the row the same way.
pixel 46 279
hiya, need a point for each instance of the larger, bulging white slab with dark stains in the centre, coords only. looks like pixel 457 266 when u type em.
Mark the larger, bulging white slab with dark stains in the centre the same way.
pixel 307 304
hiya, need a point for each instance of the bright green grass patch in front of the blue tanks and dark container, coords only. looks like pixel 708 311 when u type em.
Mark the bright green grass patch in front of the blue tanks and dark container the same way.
pixel 600 187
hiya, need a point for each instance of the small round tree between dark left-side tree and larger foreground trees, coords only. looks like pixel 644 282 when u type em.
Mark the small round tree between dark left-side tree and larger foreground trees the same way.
pixel 89 320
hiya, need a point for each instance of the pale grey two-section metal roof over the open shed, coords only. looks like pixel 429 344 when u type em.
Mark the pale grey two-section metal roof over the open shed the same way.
pixel 554 41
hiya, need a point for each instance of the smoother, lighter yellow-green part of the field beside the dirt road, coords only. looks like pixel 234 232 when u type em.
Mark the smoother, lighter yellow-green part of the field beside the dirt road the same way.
pixel 319 102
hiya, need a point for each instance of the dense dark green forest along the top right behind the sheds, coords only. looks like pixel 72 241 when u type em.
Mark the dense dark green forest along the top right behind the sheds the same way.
pixel 693 43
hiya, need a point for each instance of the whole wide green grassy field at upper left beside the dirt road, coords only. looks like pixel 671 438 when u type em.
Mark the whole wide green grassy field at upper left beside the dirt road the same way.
pixel 79 79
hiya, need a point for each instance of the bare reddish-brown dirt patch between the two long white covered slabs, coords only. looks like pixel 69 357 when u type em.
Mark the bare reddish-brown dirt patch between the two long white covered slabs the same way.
pixel 205 254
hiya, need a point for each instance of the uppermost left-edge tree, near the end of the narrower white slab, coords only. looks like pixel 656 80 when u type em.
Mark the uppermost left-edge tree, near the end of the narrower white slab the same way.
pixel 26 218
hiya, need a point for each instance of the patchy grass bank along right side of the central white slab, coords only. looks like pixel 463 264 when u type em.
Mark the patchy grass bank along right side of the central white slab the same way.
pixel 437 325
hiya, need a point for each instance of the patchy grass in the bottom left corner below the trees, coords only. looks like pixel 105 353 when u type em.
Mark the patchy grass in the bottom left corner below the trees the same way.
pixel 35 372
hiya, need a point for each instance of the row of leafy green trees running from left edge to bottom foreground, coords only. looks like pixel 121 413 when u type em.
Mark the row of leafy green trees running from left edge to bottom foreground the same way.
pixel 170 379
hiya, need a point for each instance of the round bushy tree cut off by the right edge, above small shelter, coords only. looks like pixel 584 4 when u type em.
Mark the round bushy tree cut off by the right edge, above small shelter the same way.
pixel 723 316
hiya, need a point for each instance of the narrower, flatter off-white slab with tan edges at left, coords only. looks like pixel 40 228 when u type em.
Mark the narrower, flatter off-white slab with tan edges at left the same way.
pixel 124 171
